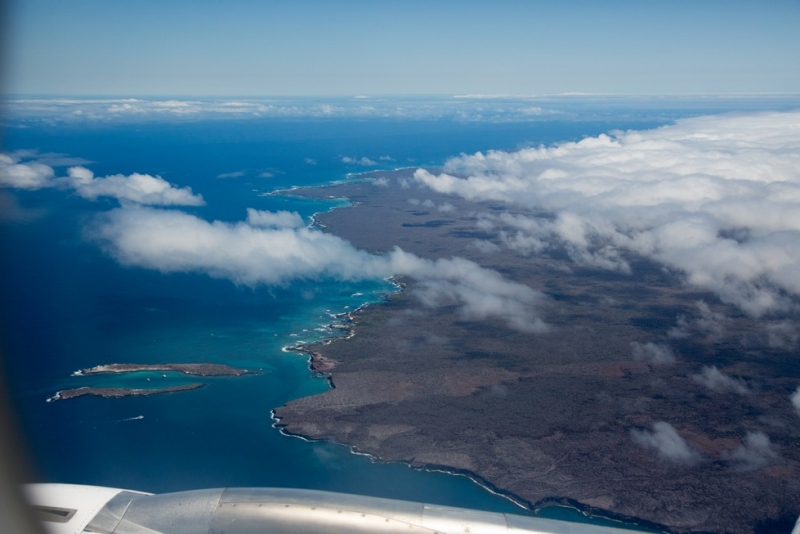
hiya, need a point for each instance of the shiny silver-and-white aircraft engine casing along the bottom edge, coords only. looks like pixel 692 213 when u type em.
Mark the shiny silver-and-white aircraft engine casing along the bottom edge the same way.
pixel 74 509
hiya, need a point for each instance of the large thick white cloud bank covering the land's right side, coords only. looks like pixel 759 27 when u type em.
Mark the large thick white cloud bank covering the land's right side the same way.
pixel 717 198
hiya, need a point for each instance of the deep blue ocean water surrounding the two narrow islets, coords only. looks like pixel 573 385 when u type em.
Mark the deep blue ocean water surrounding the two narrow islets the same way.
pixel 68 306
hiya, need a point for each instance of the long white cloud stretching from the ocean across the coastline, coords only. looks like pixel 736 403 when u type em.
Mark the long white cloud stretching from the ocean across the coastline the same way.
pixel 273 248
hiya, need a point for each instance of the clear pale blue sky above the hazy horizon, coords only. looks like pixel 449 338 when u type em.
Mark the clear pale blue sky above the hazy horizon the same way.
pixel 308 47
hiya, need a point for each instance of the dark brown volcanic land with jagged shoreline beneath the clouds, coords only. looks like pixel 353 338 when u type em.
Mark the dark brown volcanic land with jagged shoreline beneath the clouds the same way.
pixel 567 414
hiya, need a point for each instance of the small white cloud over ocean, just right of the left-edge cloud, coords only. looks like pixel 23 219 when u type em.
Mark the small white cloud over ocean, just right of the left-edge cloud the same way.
pixel 139 188
